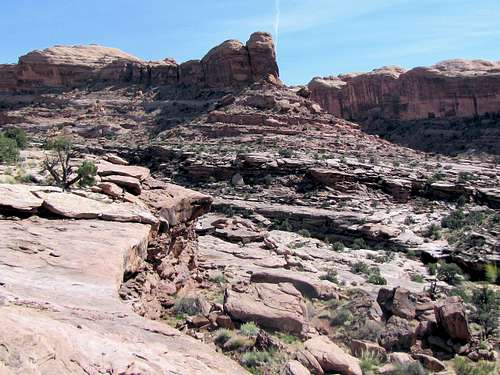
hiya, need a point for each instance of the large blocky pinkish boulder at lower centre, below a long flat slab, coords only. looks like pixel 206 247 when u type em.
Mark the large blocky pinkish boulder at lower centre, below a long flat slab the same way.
pixel 276 306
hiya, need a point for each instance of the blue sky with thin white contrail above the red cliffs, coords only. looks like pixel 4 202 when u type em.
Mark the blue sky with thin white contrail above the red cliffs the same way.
pixel 315 37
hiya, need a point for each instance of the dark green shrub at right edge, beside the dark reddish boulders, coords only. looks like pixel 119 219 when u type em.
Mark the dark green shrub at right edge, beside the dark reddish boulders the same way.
pixel 487 302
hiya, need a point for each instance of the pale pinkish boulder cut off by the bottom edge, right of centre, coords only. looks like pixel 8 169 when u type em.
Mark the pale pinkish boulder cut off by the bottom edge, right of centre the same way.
pixel 331 357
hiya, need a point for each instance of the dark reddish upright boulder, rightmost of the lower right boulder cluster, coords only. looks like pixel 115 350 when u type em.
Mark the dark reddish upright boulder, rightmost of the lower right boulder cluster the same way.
pixel 451 317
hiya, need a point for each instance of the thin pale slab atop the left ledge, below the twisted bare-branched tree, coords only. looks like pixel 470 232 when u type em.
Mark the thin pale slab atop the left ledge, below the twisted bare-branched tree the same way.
pixel 77 207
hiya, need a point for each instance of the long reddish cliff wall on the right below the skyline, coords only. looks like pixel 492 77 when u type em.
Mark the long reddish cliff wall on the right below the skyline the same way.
pixel 454 88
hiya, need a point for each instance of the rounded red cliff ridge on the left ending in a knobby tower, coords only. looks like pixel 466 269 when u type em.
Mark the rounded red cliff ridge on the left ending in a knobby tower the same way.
pixel 229 65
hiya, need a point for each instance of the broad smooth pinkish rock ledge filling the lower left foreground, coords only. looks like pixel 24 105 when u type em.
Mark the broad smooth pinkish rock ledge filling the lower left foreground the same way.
pixel 60 309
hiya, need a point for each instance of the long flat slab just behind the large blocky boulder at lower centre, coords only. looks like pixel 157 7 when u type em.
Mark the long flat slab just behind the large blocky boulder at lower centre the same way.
pixel 308 286
